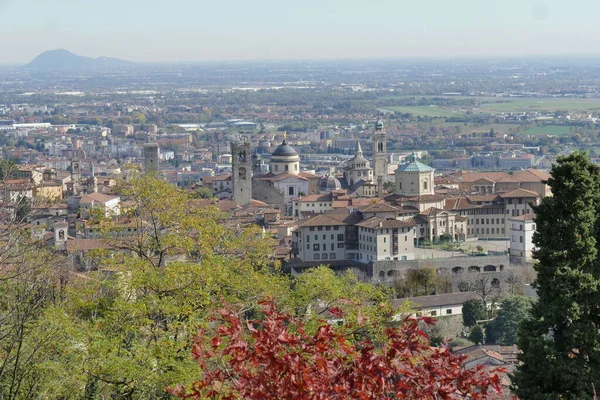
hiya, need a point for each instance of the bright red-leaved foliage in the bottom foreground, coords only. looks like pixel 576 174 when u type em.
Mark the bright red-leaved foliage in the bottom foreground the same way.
pixel 276 359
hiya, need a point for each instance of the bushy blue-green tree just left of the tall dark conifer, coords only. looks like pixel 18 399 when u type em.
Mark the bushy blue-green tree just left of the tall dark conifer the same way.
pixel 503 329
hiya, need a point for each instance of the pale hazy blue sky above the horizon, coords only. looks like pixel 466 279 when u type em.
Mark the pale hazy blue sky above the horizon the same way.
pixel 197 30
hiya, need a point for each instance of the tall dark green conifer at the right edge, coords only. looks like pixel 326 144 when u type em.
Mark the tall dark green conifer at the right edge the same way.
pixel 560 342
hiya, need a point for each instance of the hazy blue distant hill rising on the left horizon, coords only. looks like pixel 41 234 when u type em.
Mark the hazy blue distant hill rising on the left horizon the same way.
pixel 63 60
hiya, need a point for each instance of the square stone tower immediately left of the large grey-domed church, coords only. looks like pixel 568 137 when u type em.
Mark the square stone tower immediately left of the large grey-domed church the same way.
pixel 241 173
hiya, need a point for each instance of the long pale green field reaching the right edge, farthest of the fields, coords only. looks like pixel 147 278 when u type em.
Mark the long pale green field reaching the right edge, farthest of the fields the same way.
pixel 538 104
